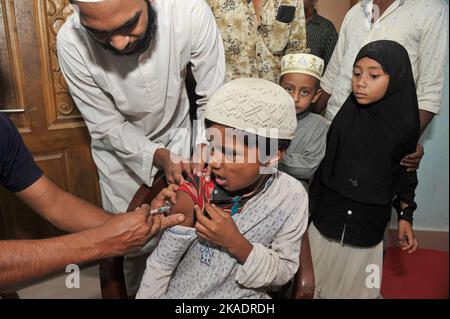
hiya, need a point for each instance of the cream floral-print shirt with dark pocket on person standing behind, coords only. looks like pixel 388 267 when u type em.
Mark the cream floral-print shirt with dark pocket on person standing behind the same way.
pixel 257 33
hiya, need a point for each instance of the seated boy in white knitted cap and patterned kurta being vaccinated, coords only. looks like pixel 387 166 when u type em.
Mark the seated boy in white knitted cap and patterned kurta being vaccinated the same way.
pixel 244 226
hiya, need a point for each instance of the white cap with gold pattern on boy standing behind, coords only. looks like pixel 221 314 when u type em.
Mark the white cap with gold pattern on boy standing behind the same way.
pixel 302 63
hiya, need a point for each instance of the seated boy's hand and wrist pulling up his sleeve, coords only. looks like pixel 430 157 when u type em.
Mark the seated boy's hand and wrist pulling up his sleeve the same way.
pixel 221 230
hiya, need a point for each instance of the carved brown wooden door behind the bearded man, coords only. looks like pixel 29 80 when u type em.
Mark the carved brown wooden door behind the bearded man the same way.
pixel 34 95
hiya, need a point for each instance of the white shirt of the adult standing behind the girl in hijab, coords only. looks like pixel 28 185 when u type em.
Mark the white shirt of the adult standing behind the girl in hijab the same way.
pixel 420 26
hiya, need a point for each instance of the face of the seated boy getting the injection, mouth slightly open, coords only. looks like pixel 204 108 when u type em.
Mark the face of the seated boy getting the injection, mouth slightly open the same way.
pixel 236 166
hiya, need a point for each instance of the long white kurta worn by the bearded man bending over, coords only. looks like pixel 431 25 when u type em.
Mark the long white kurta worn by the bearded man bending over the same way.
pixel 134 105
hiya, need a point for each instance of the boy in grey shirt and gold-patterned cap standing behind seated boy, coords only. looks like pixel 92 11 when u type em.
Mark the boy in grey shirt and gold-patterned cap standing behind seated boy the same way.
pixel 300 77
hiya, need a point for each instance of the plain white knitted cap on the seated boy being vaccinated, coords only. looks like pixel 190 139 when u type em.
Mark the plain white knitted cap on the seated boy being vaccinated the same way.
pixel 256 106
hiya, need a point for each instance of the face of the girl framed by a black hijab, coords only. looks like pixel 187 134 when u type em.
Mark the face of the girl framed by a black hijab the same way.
pixel 369 81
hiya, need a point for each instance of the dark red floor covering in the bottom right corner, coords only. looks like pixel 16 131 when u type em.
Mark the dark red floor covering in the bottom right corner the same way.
pixel 421 275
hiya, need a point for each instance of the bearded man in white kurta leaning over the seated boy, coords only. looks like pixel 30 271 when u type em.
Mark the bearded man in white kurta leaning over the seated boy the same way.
pixel 125 65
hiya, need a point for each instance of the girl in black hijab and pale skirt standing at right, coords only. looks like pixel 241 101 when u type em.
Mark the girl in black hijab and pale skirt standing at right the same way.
pixel 360 177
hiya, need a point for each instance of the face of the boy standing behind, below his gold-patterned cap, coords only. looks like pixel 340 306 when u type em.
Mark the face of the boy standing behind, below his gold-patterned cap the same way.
pixel 302 88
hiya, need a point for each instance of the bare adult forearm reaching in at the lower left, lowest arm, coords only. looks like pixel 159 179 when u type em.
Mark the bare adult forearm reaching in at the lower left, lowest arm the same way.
pixel 22 261
